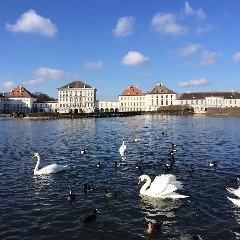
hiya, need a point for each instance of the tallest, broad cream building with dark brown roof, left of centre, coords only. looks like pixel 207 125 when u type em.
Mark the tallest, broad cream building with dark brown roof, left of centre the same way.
pixel 76 97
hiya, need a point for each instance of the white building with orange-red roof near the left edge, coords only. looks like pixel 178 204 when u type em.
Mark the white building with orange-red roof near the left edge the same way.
pixel 19 100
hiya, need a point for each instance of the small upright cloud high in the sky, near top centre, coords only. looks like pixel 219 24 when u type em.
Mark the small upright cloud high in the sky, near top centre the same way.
pixel 124 27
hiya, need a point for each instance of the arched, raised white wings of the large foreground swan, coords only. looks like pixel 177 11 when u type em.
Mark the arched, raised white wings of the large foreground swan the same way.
pixel 164 184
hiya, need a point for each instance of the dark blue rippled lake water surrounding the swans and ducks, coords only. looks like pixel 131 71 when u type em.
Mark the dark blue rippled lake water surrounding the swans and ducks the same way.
pixel 36 207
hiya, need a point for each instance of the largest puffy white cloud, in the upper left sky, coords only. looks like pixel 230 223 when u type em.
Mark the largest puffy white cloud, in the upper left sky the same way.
pixel 31 22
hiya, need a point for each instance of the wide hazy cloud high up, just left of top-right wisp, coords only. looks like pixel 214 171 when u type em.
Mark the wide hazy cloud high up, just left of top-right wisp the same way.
pixel 166 23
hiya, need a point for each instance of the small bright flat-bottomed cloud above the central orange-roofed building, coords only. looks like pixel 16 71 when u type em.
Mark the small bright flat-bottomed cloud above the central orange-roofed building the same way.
pixel 134 59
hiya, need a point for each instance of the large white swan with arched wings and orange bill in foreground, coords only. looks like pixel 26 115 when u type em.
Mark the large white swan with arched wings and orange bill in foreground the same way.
pixel 163 186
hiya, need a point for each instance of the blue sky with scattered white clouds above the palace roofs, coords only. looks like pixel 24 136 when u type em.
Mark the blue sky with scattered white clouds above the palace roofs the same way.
pixel 187 45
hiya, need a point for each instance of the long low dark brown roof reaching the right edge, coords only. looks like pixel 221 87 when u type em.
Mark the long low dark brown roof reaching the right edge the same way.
pixel 203 95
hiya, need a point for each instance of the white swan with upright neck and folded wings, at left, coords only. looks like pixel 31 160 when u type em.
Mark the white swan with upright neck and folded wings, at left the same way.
pixel 53 168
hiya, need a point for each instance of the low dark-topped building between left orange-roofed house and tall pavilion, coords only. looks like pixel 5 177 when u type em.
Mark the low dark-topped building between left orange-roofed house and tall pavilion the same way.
pixel 44 103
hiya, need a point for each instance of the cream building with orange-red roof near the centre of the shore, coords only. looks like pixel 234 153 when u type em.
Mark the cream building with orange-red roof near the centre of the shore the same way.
pixel 131 100
